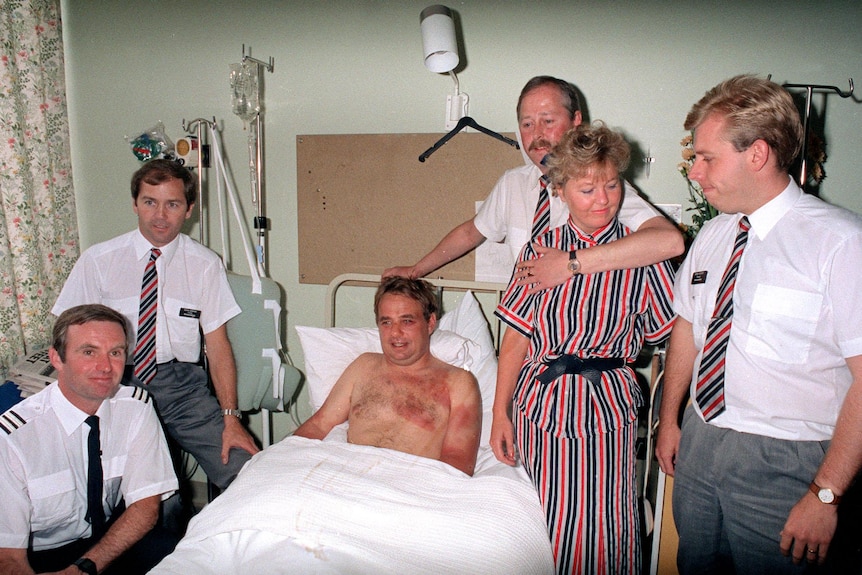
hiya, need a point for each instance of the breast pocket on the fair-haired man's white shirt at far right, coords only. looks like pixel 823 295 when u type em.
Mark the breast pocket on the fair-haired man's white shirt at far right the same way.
pixel 783 323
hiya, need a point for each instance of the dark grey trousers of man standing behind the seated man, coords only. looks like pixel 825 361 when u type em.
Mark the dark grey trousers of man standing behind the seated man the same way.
pixel 191 415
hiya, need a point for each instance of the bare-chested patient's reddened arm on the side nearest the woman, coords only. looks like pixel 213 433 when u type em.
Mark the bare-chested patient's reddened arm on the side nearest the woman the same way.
pixel 461 443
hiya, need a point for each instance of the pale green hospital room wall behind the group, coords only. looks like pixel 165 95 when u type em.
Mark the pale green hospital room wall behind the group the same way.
pixel 346 66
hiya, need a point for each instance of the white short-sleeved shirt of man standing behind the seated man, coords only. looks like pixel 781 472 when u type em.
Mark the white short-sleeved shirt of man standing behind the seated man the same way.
pixel 193 289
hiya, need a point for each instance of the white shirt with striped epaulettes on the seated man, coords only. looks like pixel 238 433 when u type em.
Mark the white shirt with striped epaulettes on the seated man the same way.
pixel 43 464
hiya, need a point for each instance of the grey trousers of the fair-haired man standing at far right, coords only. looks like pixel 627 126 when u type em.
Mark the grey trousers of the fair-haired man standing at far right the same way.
pixel 732 495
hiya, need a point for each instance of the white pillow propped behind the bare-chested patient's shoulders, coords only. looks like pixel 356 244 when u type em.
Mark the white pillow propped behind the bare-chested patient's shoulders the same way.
pixel 462 338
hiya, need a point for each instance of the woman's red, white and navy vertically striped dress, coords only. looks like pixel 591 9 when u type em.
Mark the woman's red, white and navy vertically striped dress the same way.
pixel 577 440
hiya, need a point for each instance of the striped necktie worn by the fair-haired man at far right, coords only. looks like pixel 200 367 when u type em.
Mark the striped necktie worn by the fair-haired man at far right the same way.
pixel 709 391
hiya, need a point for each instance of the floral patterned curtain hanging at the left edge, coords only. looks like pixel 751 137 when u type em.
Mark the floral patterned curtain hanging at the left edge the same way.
pixel 38 227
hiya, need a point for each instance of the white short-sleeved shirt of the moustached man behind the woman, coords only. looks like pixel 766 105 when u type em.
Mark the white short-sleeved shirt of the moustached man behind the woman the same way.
pixel 507 213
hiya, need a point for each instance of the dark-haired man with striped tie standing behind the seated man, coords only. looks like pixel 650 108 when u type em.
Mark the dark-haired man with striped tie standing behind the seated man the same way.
pixel 193 297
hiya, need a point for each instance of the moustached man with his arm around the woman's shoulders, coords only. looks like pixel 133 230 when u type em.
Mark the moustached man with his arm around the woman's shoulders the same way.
pixel 547 108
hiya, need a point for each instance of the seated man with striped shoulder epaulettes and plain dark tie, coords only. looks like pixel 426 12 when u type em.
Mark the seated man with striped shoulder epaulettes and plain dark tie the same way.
pixel 47 522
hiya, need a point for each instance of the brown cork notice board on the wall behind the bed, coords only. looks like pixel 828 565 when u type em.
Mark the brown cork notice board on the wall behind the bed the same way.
pixel 367 203
